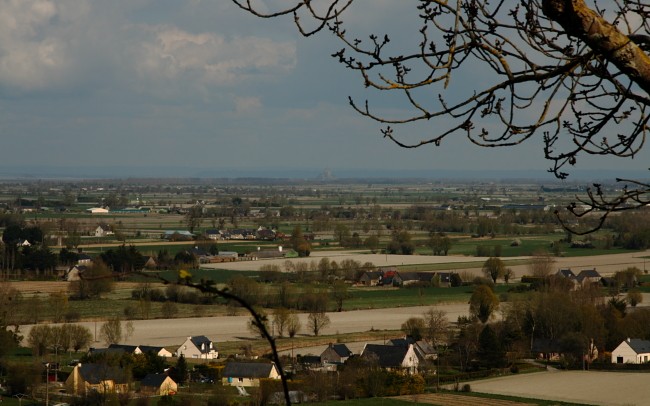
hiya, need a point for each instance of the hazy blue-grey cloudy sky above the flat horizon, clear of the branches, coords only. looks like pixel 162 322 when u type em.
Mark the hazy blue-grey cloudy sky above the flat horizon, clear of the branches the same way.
pixel 202 88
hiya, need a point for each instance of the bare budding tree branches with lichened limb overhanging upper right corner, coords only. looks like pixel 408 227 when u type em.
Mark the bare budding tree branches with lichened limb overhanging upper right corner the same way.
pixel 569 71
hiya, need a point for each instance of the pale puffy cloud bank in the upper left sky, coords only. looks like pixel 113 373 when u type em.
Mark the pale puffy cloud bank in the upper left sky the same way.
pixel 86 45
